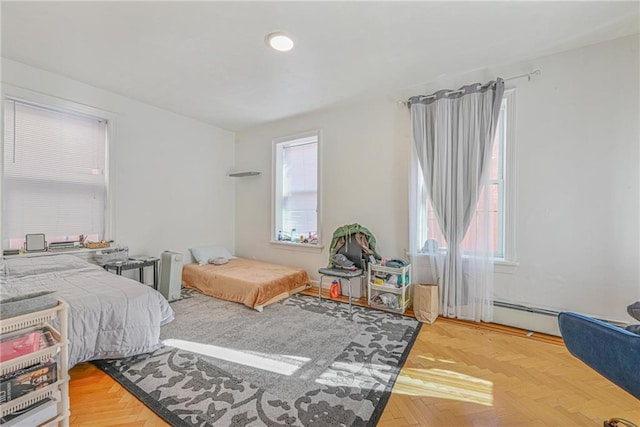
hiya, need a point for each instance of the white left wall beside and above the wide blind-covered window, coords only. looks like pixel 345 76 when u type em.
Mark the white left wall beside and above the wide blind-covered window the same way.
pixel 168 171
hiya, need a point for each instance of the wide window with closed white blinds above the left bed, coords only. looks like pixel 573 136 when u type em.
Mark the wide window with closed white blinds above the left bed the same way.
pixel 54 177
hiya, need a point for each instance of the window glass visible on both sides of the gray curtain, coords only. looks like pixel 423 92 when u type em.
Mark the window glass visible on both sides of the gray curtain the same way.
pixel 500 185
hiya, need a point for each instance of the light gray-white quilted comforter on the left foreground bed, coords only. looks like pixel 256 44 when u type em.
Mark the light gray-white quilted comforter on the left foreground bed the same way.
pixel 110 316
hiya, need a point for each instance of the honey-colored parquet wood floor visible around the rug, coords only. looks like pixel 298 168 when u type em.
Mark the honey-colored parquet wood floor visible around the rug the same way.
pixel 457 374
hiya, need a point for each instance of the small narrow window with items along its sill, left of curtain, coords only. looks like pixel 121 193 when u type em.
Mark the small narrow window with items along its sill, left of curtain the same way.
pixel 296 195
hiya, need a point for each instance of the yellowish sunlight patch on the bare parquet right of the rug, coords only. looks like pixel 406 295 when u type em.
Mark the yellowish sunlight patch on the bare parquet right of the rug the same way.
pixel 444 384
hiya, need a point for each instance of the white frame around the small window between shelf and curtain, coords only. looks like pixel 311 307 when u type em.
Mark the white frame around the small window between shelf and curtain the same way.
pixel 276 190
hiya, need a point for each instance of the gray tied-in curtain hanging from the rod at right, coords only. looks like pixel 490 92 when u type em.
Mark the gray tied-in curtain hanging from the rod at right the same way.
pixel 453 132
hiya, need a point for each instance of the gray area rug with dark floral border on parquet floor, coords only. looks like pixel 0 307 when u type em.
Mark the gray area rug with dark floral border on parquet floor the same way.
pixel 298 363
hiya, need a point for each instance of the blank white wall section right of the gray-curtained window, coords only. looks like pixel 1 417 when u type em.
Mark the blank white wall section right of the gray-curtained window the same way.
pixel 578 183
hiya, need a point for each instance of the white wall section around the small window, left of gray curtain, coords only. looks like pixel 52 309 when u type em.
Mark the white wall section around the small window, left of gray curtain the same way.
pixel 364 180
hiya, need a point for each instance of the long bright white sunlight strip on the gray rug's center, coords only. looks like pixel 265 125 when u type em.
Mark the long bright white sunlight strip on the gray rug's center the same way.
pixel 279 363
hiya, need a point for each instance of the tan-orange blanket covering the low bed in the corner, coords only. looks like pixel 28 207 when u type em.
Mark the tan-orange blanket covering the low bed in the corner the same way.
pixel 249 282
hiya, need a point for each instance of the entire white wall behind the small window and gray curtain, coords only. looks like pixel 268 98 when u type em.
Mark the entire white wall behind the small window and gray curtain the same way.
pixel 577 181
